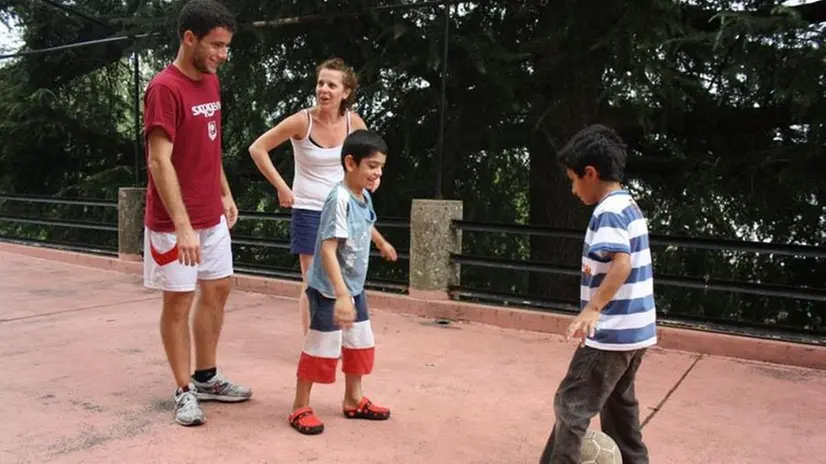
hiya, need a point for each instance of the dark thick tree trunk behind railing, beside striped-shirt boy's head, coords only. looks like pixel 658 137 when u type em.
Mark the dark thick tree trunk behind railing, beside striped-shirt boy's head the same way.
pixel 568 77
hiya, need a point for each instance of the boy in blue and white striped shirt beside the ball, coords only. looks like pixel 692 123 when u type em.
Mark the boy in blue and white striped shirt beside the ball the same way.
pixel 617 322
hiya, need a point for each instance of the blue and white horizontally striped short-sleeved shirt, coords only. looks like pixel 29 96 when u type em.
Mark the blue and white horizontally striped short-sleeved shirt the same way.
pixel 629 321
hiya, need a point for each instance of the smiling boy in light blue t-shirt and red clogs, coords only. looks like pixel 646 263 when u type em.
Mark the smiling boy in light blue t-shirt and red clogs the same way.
pixel 336 288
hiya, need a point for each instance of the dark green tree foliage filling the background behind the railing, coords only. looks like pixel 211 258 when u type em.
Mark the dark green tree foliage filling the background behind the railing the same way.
pixel 720 102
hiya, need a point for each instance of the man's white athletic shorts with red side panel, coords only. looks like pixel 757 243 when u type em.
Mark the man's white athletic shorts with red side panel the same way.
pixel 162 271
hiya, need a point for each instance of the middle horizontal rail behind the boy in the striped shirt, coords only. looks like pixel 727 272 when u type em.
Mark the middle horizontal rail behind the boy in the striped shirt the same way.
pixel 780 291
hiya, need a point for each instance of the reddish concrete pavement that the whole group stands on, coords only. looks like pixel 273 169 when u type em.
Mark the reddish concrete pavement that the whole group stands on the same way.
pixel 84 379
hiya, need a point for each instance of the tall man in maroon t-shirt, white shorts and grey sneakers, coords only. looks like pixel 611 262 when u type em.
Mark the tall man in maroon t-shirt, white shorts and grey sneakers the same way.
pixel 189 206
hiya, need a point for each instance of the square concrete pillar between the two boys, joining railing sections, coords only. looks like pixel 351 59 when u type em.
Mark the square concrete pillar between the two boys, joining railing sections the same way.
pixel 432 239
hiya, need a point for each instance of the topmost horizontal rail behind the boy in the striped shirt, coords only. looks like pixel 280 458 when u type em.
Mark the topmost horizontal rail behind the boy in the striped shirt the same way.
pixel 659 240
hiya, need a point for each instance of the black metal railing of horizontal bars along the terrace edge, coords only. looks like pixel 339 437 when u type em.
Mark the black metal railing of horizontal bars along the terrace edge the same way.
pixel 466 292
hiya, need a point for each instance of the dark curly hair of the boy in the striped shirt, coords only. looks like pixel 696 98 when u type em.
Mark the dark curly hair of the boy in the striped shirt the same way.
pixel 597 146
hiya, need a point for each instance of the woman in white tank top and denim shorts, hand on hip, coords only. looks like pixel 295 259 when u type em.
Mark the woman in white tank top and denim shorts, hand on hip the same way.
pixel 317 135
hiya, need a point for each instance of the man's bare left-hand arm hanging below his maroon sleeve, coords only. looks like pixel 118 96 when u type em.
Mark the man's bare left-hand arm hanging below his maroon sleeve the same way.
pixel 165 178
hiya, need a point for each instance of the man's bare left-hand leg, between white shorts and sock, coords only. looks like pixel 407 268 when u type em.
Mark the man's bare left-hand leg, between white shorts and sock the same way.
pixel 175 334
